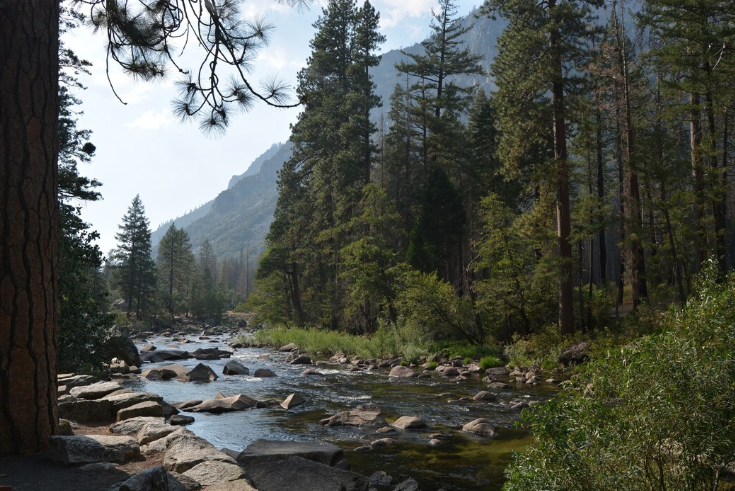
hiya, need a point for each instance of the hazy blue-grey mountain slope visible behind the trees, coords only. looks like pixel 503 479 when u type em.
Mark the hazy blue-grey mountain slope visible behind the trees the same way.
pixel 239 217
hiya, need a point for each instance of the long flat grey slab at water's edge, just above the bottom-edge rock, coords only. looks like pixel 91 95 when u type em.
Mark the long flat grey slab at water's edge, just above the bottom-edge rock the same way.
pixel 269 450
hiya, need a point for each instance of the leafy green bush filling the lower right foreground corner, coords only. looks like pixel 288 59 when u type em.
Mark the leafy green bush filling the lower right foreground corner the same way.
pixel 658 414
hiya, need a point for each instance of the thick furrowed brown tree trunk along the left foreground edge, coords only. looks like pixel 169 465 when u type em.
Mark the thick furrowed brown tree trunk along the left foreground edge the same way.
pixel 29 65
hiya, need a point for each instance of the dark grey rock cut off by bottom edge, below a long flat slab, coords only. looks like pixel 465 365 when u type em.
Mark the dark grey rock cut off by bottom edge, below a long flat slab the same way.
pixel 304 475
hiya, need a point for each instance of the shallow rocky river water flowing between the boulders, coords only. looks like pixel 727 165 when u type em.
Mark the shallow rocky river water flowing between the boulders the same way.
pixel 462 462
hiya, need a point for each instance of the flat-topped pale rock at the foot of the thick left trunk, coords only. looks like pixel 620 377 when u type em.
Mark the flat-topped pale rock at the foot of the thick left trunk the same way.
pixel 81 449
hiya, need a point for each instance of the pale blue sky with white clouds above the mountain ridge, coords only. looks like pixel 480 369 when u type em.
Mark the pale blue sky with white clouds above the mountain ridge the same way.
pixel 142 148
